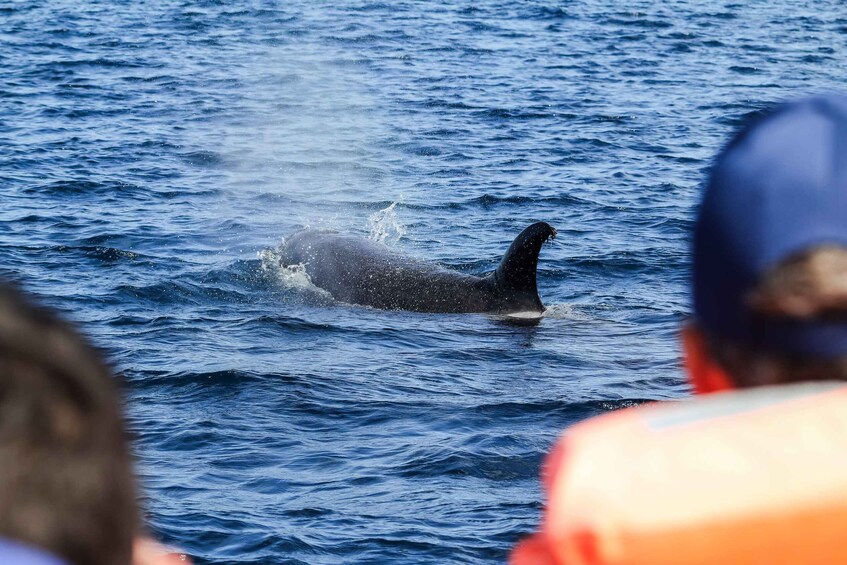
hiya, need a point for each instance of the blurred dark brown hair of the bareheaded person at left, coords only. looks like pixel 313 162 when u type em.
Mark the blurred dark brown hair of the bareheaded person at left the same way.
pixel 66 482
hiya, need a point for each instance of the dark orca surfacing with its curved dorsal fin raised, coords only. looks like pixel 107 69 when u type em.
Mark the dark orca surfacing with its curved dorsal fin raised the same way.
pixel 357 270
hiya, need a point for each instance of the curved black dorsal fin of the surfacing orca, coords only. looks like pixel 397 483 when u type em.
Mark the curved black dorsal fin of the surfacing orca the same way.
pixel 515 276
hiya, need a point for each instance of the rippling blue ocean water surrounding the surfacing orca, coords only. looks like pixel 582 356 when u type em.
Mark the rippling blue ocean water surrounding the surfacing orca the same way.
pixel 154 154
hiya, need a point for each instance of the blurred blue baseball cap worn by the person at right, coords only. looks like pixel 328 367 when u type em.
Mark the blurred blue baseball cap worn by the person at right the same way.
pixel 779 188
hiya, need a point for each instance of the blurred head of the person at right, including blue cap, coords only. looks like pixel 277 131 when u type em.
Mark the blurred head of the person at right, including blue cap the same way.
pixel 770 253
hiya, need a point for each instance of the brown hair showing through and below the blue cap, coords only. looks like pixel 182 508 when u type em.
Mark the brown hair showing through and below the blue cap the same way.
pixel 809 286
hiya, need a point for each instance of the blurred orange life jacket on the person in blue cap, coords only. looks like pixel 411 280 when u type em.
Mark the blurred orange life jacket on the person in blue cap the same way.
pixel 755 477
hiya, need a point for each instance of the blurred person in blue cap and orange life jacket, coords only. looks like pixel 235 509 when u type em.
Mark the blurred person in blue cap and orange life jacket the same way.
pixel 752 476
